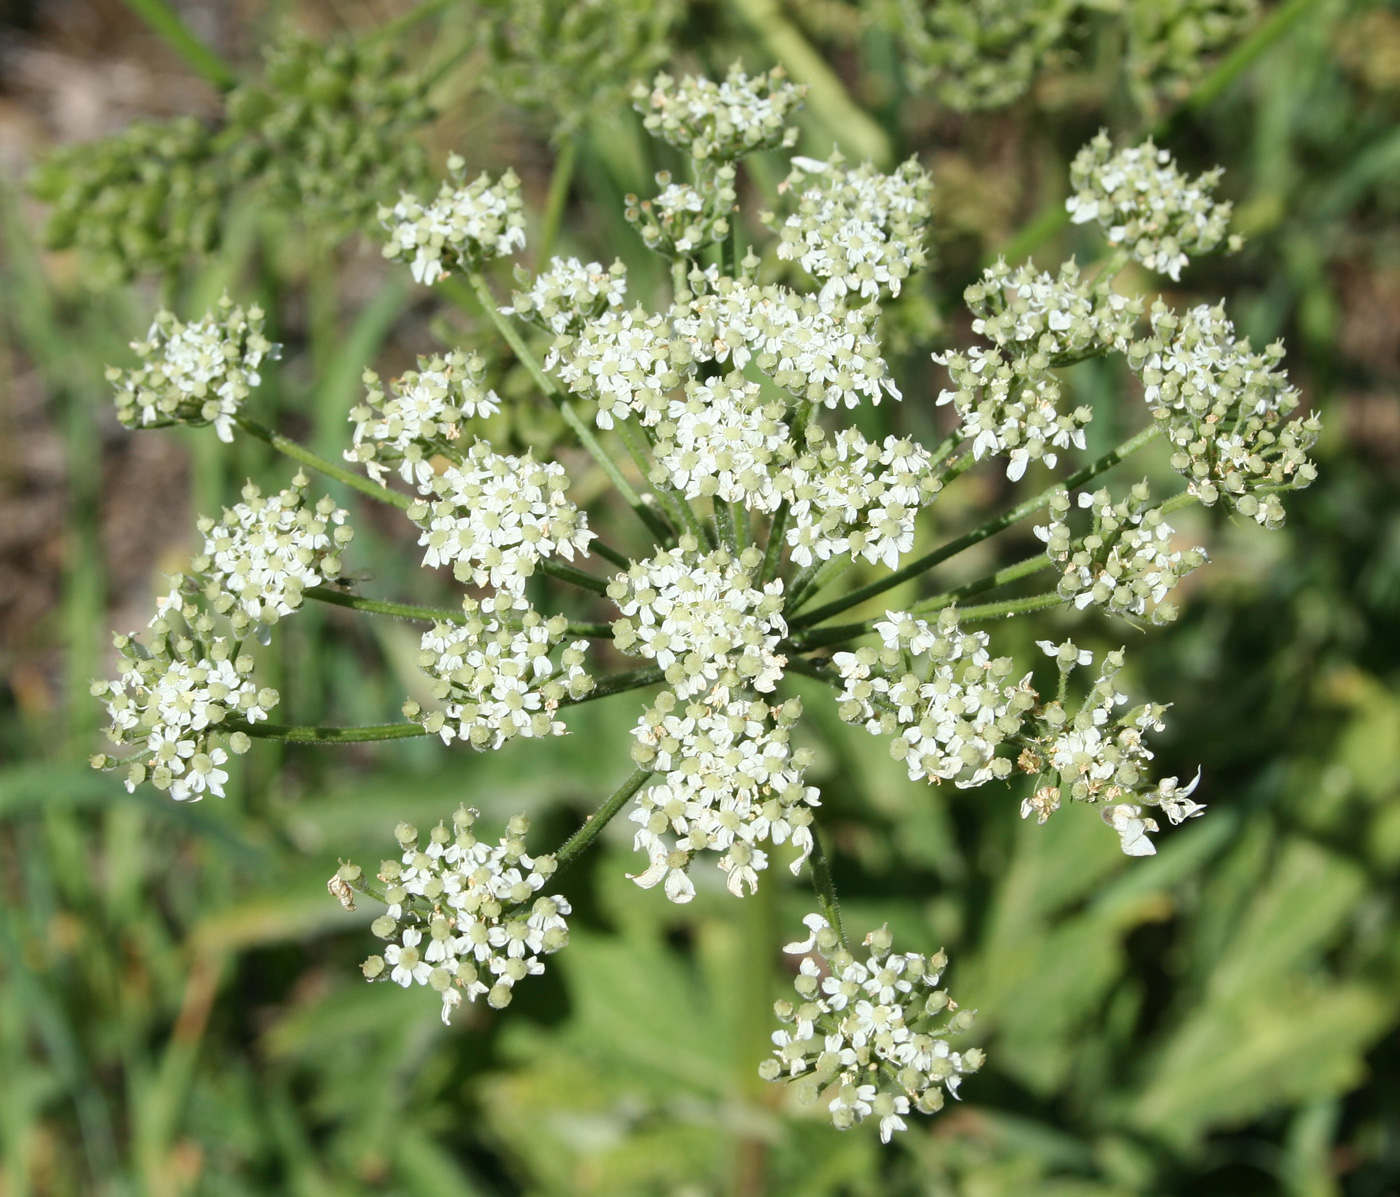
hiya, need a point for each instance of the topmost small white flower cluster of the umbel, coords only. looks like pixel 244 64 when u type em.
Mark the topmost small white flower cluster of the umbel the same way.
pixel 722 121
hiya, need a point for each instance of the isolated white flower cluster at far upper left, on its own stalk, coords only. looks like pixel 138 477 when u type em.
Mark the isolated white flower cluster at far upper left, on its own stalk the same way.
pixel 194 373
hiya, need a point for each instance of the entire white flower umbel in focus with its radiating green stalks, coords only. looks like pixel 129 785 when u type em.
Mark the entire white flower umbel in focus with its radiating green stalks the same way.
pixel 724 421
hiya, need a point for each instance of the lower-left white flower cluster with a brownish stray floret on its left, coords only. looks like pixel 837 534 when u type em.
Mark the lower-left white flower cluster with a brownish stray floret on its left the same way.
pixel 463 913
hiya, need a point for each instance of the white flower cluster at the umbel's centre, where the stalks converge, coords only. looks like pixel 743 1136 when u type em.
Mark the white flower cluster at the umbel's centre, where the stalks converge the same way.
pixel 702 619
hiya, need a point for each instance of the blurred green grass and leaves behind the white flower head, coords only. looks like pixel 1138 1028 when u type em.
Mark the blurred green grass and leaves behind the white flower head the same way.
pixel 180 1004
